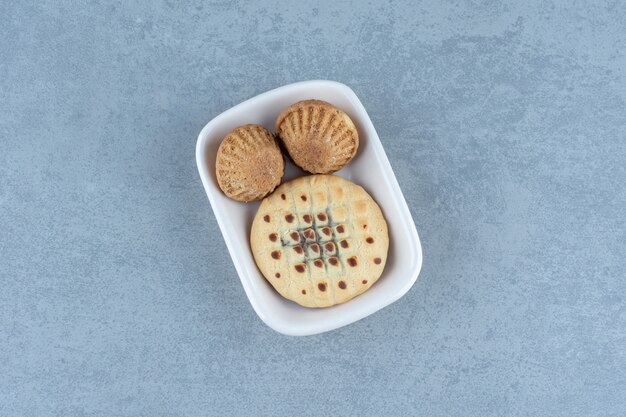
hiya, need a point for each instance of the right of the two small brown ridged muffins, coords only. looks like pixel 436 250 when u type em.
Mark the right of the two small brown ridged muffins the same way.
pixel 319 137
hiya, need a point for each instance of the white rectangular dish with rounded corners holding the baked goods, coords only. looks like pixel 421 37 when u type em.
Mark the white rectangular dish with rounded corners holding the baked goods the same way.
pixel 370 168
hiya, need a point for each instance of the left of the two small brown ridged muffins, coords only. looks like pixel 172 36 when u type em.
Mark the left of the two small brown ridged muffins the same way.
pixel 249 163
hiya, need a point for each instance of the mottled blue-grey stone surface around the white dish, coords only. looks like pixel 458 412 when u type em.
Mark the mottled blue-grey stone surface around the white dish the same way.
pixel 504 122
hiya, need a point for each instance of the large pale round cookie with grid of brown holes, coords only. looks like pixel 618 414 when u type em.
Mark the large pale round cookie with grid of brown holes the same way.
pixel 320 240
